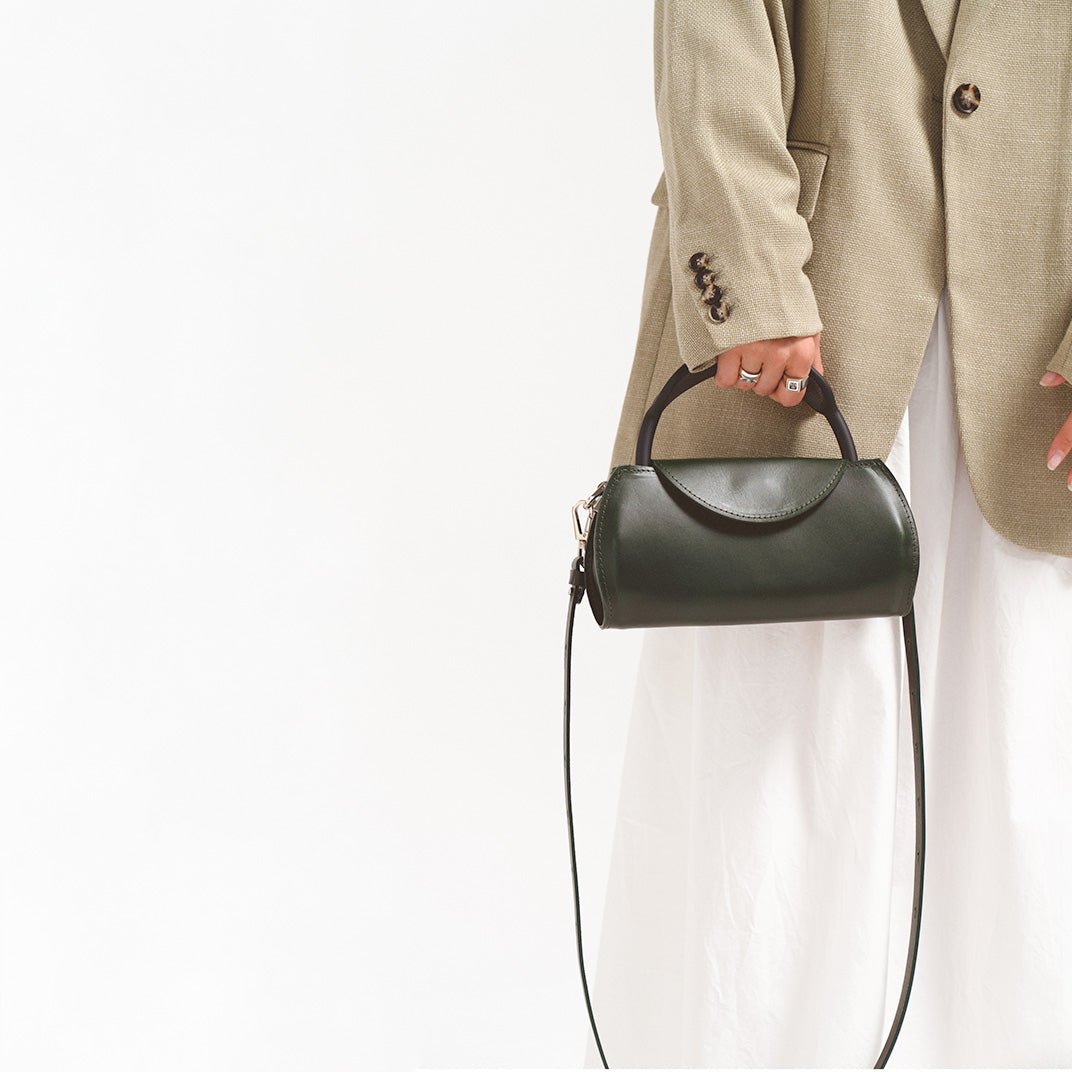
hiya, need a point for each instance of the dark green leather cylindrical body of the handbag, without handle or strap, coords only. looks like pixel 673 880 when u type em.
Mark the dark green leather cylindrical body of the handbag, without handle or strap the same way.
pixel 740 541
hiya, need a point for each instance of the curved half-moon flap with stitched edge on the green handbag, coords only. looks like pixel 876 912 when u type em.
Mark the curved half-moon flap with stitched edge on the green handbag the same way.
pixel 754 489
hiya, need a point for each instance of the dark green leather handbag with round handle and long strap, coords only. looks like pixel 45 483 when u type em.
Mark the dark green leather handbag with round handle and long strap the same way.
pixel 736 541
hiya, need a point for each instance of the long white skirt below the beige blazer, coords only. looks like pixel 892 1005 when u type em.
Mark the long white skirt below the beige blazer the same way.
pixel 760 898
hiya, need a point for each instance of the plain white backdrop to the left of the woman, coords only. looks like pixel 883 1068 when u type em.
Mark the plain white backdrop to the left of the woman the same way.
pixel 316 321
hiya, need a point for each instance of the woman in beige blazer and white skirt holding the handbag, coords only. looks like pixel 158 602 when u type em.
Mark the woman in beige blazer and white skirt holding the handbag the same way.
pixel 890 178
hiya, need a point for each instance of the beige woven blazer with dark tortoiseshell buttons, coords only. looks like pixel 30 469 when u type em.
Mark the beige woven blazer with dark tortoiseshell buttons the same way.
pixel 825 157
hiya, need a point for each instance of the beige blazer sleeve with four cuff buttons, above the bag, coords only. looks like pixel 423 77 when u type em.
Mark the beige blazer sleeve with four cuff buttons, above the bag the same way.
pixel 724 95
